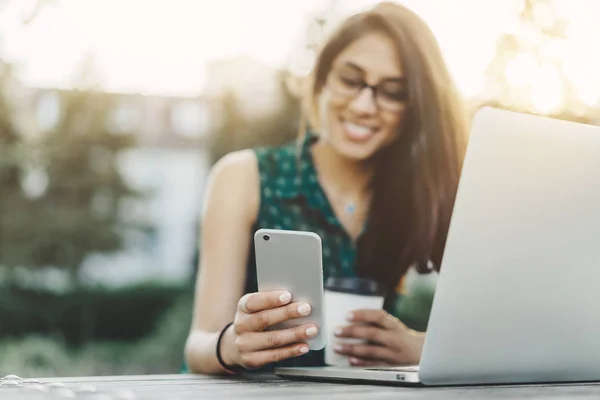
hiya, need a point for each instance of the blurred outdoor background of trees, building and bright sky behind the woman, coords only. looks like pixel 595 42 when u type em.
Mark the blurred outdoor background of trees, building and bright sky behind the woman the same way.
pixel 113 111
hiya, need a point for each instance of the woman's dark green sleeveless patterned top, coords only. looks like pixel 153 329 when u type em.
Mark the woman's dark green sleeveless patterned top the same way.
pixel 292 198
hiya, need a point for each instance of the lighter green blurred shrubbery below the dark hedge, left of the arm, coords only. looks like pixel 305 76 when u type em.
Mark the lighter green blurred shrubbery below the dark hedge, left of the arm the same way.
pixel 158 353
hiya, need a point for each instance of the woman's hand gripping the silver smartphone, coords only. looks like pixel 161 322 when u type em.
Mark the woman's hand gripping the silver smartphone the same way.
pixel 254 347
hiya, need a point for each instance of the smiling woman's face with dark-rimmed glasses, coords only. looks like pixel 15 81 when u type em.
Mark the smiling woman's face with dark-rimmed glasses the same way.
pixel 358 121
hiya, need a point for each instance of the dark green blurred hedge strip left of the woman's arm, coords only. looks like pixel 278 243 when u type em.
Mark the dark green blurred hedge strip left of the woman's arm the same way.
pixel 84 315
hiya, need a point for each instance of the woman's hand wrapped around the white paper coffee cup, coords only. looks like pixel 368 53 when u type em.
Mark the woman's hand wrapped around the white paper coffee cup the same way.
pixel 388 341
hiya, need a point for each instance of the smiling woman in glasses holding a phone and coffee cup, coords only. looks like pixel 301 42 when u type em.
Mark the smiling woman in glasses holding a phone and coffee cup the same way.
pixel 375 177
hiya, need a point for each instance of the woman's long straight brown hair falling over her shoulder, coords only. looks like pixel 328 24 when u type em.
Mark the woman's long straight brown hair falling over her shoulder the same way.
pixel 417 176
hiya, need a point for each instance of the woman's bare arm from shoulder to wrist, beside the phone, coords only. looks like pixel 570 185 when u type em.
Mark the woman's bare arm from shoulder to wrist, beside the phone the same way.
pixel 230 209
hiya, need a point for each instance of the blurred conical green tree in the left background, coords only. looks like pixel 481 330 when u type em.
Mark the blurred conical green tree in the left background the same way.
pixel 81 210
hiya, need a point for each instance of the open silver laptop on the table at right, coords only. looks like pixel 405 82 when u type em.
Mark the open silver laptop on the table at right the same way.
pixel 519 287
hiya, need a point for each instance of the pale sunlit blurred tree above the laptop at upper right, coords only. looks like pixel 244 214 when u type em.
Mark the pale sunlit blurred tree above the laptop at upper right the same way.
pixel 527 73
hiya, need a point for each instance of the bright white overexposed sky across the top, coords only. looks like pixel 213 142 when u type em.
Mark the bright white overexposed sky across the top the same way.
pixel 164 46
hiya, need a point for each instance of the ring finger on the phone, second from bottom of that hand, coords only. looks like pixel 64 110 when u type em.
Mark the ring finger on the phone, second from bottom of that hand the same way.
pixel 256 341
